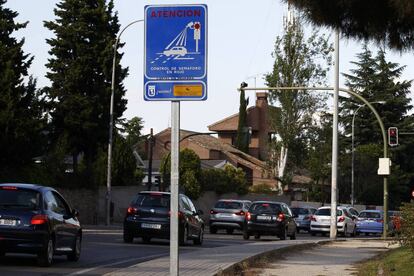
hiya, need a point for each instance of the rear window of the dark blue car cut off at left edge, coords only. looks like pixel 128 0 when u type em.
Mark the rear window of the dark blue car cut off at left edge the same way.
pixel 17 198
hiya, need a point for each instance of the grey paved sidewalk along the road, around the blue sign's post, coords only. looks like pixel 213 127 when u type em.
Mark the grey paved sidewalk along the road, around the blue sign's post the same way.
pixel 208 261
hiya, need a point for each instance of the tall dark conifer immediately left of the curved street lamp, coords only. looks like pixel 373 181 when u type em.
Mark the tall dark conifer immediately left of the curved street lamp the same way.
pixel 80 70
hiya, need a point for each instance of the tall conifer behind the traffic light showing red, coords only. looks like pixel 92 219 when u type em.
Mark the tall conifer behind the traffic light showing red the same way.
pixel 377 79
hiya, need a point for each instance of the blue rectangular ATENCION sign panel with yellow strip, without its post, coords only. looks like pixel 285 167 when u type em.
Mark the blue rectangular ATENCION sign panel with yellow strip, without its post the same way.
pixel 175 52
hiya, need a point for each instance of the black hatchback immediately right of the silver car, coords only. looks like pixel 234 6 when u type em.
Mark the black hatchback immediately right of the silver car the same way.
pixel 269 218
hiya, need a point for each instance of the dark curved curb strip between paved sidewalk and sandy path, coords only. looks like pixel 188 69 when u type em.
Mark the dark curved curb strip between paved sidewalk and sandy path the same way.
pixel 262 258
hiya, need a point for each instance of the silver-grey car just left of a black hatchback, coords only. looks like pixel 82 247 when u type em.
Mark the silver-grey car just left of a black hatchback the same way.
pixel 228 214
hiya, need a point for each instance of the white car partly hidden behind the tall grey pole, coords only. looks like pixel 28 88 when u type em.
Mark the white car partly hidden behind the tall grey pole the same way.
pixel 321 221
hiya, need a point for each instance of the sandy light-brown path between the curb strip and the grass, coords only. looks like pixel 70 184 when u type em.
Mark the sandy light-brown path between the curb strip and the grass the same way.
pixel 337 258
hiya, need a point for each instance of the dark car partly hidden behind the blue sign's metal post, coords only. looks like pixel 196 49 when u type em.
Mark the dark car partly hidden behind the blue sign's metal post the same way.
pixel 148 216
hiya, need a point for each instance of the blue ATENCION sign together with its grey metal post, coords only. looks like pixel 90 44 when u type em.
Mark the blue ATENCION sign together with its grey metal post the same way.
pixel 175 70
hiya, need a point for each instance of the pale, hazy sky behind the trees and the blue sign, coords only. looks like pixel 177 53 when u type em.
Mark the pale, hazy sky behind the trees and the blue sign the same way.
pixel 241 36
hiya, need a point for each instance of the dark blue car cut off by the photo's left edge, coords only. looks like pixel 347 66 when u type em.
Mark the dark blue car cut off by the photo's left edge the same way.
pixel 37 220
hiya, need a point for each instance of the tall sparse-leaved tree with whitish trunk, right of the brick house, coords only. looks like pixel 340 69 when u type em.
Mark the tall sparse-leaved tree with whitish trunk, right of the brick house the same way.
pixel 298 62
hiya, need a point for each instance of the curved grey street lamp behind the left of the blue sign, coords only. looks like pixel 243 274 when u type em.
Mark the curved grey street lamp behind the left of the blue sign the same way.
pixel 111 115
